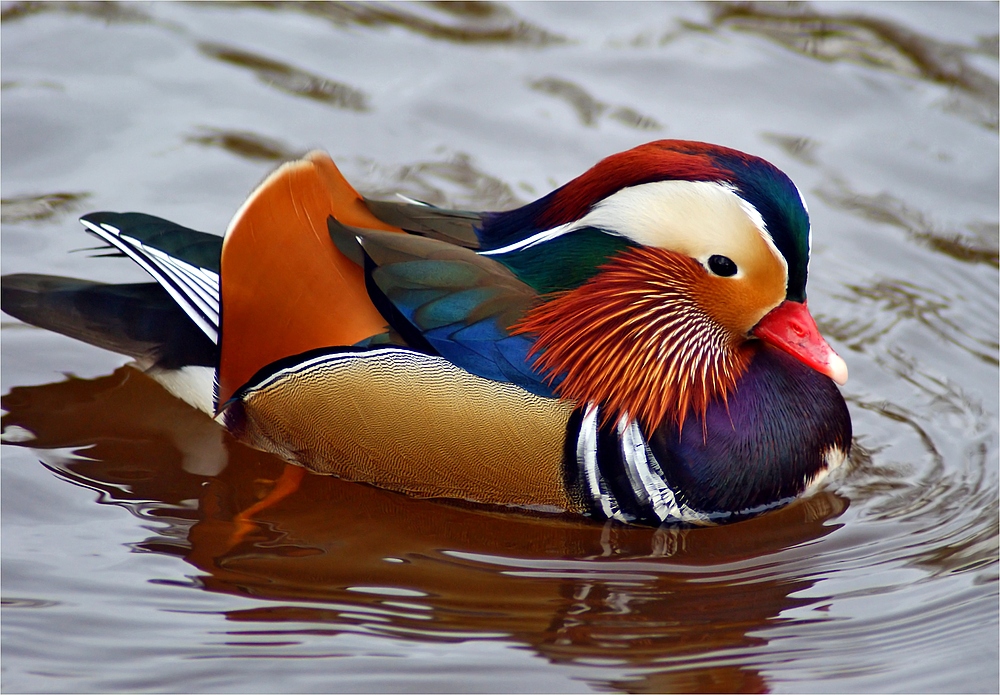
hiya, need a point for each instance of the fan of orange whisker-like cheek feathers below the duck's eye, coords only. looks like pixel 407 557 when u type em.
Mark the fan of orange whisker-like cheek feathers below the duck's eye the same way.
pixel 636 339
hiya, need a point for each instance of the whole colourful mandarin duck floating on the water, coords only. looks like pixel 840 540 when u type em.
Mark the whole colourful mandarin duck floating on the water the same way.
pixel 634 346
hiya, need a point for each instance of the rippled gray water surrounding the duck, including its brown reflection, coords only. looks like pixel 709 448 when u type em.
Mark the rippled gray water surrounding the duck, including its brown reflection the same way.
pixel 125 564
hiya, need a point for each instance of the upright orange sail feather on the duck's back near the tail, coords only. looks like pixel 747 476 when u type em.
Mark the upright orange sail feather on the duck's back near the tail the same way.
pixel 283 281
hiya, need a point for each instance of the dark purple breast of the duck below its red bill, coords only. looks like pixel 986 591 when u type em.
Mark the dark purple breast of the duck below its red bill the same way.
pixel 785 424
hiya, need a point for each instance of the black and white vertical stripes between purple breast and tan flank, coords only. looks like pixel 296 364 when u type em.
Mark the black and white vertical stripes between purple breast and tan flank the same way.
pixel 618 476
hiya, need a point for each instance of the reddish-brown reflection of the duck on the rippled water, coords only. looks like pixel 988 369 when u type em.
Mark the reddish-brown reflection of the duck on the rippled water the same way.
pixel 675 609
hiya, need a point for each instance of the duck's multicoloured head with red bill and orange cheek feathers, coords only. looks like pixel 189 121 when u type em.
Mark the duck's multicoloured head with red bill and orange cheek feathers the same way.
pixel 658 267
